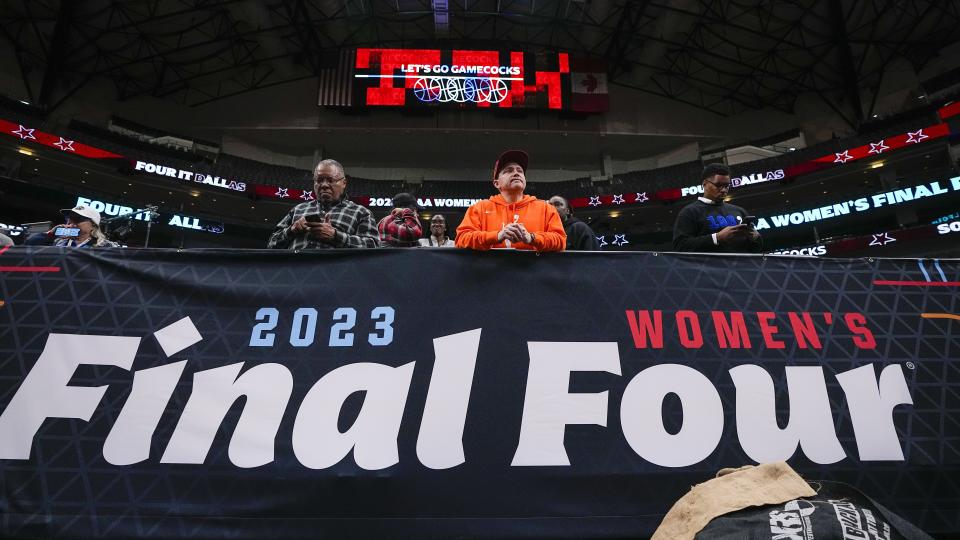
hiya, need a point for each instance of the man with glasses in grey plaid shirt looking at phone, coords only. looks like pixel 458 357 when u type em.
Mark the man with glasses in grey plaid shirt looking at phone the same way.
pixel 329 220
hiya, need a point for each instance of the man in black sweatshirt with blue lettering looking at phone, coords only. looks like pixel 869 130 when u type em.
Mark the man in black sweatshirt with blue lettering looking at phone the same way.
pixel 711 225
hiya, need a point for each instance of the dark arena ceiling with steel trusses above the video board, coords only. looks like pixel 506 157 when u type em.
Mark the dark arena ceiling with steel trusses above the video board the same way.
pixel 724 56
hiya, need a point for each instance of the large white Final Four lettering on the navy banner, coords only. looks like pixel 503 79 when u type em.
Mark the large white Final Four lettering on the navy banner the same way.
pixel 549 406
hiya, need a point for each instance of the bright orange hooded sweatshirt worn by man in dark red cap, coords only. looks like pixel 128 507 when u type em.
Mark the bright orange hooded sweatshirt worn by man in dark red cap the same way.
pixel 483 221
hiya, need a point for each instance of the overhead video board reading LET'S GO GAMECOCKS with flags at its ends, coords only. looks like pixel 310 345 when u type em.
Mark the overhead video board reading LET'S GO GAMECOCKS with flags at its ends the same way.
pixel 465 79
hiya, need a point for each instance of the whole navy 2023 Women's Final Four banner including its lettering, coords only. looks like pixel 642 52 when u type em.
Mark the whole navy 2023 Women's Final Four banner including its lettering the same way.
pixel 442 393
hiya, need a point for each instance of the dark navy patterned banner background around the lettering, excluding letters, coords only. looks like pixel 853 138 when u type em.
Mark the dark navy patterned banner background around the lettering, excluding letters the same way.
pixel 66 489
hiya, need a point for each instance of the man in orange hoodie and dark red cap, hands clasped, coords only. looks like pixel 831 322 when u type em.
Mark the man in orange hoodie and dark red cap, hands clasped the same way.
pixel 511 219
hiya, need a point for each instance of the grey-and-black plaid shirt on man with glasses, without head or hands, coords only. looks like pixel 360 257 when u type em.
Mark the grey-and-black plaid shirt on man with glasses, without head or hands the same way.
pixel 354 224
